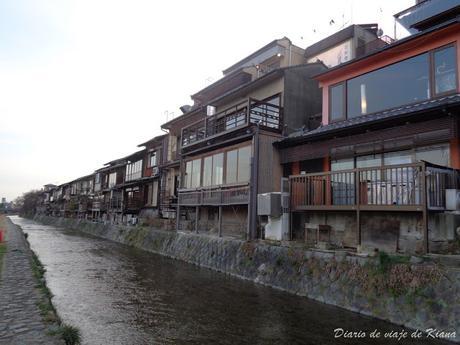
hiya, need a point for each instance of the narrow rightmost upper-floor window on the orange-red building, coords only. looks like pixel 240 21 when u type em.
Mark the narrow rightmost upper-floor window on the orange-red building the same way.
pixel 445 73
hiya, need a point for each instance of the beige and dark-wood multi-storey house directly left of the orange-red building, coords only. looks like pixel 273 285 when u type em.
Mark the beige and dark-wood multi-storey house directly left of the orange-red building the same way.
pixel 227 156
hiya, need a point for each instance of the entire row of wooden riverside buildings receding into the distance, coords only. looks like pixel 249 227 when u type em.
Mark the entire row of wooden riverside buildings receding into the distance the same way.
pixel 351 142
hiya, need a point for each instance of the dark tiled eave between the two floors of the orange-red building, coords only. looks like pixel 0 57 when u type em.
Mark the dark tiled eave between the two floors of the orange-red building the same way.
pixel 375 117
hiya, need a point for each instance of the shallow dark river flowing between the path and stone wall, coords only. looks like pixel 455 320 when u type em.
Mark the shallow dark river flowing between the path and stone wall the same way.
pixel 116 294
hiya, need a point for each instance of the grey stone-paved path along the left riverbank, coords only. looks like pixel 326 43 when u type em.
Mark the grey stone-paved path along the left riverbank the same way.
pixel 20 319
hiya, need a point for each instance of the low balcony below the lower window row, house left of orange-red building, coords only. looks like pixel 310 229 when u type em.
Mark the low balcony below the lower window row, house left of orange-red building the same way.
pixel 221 196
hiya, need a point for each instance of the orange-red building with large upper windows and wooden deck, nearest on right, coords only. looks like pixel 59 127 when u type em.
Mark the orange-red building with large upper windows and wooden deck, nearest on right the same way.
pixel 376 172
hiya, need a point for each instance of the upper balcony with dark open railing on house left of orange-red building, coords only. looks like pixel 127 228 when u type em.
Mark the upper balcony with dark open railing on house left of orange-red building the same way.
pixel 242 115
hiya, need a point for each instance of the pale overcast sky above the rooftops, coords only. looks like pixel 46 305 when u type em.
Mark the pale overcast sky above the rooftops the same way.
pixel 84 82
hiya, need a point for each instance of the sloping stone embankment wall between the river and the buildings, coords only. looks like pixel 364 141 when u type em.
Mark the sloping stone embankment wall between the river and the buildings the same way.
pixel 415 292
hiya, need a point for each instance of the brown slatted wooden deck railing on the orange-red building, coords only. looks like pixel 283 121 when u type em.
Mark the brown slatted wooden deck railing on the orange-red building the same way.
pixel 397 187
